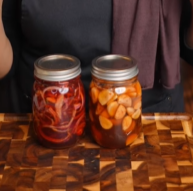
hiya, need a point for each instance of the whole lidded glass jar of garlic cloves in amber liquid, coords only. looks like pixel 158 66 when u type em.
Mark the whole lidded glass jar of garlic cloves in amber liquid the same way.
pixel 115 101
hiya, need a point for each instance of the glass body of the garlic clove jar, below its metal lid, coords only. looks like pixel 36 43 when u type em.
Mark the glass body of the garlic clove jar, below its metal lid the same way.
pixel 115 112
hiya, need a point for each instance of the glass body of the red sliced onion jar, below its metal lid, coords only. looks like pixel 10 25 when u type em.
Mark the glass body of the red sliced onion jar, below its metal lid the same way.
pixel 58 112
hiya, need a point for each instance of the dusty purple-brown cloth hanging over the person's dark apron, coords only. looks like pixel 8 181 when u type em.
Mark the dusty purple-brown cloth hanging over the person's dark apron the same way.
pixel 150 34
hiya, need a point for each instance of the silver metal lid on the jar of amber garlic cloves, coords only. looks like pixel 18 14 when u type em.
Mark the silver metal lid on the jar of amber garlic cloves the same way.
pixel 114 67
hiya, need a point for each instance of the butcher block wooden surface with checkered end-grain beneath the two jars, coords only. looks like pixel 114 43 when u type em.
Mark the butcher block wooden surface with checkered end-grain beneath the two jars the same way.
pixel 159 160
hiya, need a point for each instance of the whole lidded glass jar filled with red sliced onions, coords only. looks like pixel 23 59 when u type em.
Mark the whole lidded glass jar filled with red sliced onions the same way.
pixel 58 101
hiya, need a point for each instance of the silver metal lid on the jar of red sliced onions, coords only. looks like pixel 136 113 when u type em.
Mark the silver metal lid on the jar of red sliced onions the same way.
pixel 59 67
